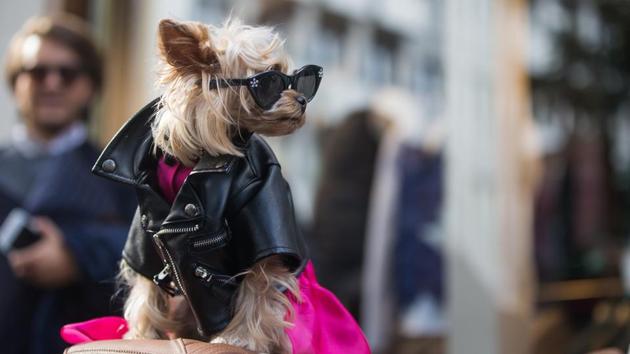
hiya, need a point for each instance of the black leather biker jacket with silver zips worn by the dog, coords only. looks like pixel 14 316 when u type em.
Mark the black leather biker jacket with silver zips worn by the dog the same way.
pixel 230 213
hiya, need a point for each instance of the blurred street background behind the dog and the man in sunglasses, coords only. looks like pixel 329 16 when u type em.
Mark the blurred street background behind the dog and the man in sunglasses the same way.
pixel 463 178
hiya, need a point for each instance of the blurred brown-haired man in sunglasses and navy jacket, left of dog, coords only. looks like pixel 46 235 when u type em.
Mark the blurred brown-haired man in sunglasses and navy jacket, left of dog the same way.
pixel 54 71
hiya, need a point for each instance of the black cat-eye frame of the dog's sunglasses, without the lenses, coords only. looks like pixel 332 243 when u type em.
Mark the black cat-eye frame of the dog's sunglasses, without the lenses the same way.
pixel 288 81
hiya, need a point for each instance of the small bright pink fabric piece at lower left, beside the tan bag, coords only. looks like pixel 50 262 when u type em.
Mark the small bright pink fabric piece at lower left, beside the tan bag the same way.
pixel 101 328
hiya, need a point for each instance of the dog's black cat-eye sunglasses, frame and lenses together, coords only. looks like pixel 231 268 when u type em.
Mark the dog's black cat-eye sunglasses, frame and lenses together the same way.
pixel 266 88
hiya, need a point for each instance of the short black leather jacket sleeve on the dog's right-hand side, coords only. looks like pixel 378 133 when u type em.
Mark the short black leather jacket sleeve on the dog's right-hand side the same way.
pixel 264 224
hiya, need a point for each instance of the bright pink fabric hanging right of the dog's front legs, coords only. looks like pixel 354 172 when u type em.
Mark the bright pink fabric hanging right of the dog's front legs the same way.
pixel 321 323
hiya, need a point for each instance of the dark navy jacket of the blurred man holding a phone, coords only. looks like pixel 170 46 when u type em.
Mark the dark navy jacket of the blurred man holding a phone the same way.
pixel 94 217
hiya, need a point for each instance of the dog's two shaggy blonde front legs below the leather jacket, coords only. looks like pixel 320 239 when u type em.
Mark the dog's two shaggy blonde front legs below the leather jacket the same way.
pixel 263 310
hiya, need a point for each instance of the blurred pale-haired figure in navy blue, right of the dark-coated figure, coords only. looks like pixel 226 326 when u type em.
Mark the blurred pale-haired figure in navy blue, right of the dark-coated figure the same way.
pixel 402 296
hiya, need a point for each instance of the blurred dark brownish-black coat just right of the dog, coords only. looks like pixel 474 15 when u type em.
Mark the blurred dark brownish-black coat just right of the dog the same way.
pixel 341 208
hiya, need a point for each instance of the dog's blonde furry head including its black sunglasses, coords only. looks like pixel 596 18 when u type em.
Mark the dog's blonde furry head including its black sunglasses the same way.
pixel 221 81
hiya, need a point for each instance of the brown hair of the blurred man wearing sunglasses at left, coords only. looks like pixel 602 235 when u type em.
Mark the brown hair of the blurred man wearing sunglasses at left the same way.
pixel 65 29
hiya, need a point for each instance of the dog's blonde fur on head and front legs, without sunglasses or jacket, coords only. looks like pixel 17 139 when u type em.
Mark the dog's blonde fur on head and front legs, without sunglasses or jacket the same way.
pixel 192 119
